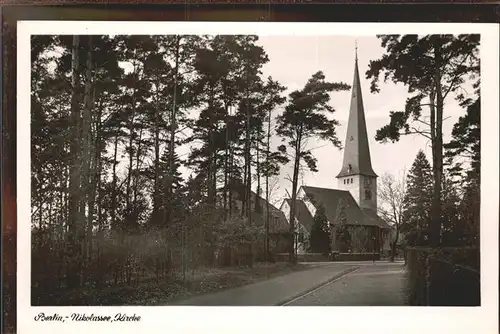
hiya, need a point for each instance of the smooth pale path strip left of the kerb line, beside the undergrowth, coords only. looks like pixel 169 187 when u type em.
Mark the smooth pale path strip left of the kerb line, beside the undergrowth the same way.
pixel 274 291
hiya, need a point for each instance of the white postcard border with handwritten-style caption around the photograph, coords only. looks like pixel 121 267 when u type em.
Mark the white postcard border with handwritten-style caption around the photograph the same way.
pixel 250 319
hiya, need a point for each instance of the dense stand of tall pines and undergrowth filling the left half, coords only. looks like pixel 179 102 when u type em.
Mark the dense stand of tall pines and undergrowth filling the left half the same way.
pixel 109 185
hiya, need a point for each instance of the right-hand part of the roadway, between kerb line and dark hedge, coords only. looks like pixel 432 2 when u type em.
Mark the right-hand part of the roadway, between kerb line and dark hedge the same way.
pixel 375 284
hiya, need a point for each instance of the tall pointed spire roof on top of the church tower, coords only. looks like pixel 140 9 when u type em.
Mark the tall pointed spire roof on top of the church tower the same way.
pixel 357 151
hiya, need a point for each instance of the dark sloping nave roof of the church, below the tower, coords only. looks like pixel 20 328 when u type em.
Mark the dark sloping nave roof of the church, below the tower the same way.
pixel 330 200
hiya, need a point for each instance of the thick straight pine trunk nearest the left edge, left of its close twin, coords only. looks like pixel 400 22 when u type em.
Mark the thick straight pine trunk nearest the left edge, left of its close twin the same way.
pixel 74 230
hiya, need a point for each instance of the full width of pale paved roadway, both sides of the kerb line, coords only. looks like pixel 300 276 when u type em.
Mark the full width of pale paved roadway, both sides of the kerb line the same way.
pixel 324 284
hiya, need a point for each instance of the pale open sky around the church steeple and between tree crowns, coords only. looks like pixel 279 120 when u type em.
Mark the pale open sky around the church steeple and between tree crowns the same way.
pixel 293 59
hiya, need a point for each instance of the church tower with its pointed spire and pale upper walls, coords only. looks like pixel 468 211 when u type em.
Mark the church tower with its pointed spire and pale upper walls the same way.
pixel 357 174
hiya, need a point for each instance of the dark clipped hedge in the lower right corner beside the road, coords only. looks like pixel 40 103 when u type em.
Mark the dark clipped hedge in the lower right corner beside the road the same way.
pixel 443 277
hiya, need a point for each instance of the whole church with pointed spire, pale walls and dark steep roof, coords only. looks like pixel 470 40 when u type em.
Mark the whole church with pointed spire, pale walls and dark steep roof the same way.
pixel 351 209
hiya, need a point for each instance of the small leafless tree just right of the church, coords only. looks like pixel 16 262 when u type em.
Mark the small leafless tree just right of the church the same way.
pixel 392 193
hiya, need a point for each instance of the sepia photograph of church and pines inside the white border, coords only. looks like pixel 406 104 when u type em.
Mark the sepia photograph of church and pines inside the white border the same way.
pixel 255 169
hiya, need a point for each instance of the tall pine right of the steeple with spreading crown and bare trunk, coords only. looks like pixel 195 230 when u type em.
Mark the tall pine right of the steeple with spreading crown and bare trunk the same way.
pixel 432 67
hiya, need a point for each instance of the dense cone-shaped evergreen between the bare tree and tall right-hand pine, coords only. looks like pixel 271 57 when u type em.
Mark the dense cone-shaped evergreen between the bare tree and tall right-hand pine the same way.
pixel 417 202
